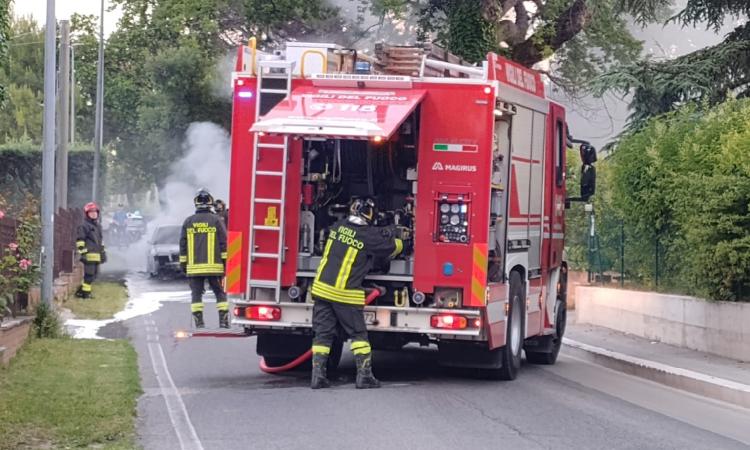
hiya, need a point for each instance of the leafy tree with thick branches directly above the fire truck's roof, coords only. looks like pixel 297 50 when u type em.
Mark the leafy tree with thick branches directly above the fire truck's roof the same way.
pixel 585 37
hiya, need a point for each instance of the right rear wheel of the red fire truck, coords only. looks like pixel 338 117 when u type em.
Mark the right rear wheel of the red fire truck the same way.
pixel 510 354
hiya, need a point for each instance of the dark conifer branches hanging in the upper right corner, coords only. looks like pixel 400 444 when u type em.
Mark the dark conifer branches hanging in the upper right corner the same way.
pixel 707 76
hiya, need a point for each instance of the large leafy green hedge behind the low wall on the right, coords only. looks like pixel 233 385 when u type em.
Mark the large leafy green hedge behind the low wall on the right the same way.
pixel 681 186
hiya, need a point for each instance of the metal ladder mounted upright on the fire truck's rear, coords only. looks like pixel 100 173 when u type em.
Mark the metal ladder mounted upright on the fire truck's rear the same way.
pixel 268 176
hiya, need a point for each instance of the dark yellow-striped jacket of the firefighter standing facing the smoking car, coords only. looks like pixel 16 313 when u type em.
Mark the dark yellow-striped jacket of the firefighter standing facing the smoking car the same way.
pixel 203 244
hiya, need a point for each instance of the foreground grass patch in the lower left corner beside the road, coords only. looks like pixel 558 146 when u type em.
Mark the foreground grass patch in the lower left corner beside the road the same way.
pixel 60 393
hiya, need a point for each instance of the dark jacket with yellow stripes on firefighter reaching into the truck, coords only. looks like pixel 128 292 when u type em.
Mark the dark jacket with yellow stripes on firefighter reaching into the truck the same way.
pixel 348 257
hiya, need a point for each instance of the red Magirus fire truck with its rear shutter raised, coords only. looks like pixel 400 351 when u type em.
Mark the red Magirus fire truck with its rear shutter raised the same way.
pixel 473 164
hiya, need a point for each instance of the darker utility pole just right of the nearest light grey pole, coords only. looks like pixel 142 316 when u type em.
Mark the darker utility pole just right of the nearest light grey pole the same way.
pixel 63 116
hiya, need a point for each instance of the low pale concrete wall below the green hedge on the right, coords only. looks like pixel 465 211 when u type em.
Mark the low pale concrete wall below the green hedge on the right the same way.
pixel 721 328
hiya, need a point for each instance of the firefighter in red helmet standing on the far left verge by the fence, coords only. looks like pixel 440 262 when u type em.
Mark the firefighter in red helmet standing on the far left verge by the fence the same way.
pixel 89 246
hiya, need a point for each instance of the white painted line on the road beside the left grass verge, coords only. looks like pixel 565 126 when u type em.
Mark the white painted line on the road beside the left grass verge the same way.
pixel 176 409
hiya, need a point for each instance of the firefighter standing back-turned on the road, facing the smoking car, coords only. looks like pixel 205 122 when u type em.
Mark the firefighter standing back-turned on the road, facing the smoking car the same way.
pixel 203 255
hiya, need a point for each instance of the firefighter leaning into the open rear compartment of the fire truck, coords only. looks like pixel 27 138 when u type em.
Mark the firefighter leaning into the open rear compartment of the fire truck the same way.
pixel 352 245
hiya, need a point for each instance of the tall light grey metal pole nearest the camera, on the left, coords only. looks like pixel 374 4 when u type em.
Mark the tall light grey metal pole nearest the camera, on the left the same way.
pixel 48 159
